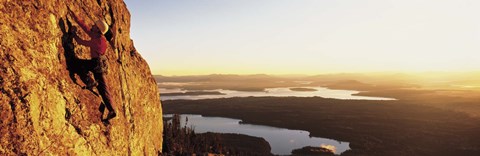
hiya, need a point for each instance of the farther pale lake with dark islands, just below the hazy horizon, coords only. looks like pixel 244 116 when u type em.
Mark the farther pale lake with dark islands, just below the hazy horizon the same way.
pixel 274 92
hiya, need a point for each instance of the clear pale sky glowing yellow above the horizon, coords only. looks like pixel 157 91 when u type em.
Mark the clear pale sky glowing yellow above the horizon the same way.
pixel 183 37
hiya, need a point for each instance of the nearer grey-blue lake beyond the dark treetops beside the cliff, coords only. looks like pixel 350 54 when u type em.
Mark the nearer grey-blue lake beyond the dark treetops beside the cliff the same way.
pixel 281 140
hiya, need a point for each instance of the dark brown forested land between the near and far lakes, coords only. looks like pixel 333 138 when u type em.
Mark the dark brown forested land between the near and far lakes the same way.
pixel 371 128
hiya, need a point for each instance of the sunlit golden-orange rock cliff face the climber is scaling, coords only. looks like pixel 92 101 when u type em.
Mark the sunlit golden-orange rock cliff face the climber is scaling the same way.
pixel 43 108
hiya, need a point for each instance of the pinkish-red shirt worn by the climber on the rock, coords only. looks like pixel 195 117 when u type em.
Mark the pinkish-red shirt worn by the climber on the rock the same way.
pixel 97 43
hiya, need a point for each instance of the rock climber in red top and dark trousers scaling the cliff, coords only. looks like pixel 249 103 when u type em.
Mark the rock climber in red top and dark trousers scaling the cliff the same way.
pixel 97 63
